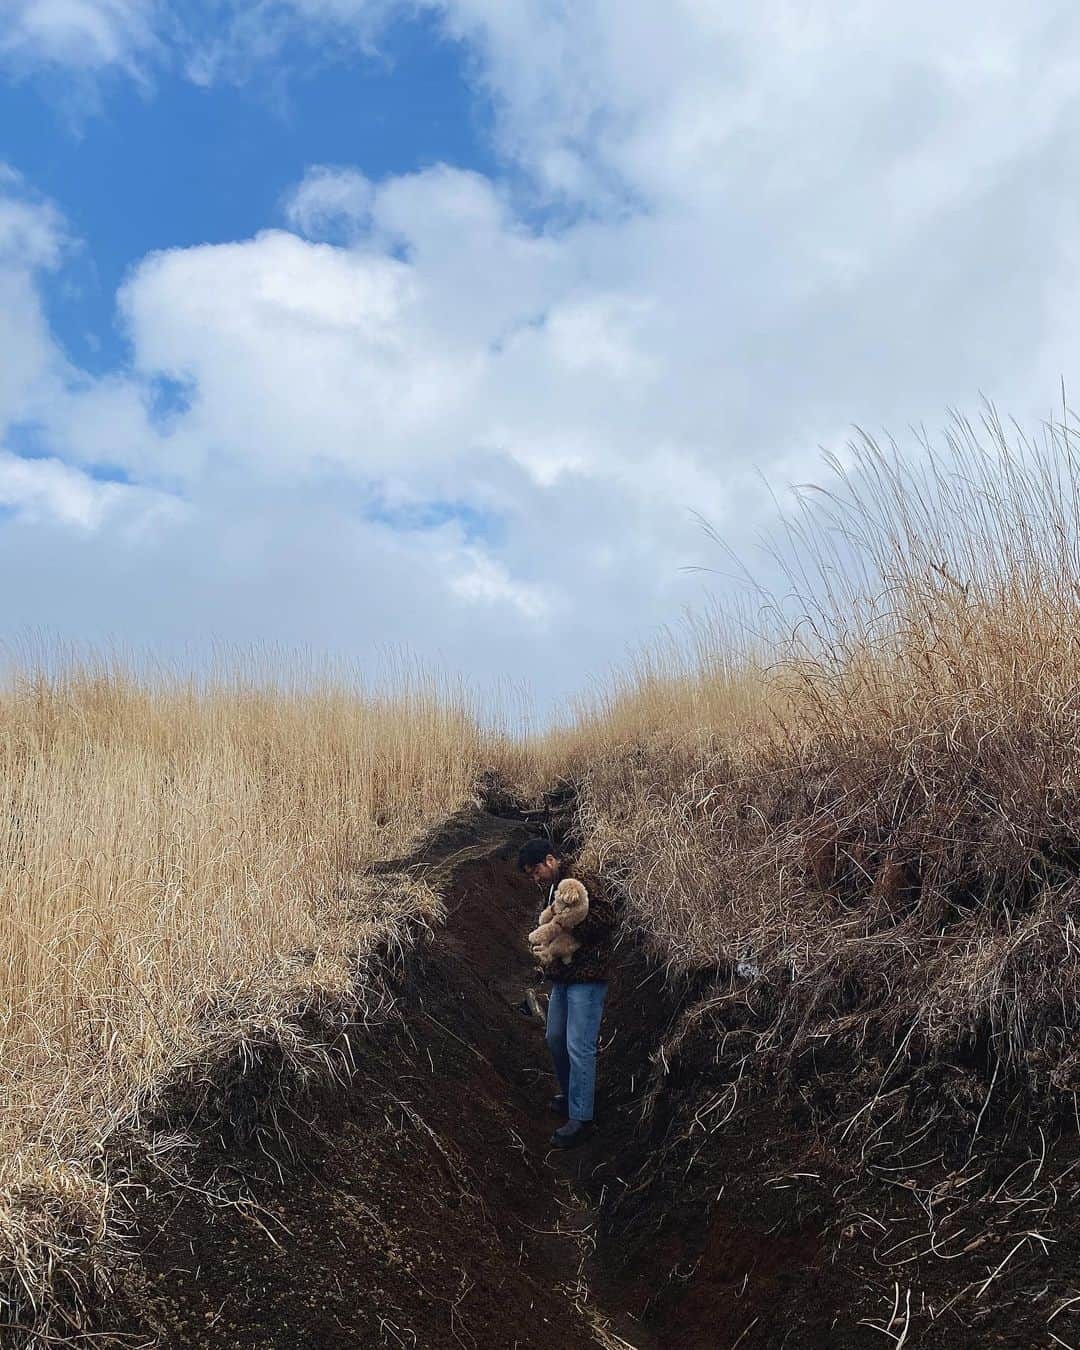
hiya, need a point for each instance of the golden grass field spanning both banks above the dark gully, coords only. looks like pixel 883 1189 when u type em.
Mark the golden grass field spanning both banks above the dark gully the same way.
pixel 870 784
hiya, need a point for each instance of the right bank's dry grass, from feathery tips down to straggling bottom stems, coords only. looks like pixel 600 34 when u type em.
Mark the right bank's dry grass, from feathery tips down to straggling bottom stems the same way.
pixel 855 843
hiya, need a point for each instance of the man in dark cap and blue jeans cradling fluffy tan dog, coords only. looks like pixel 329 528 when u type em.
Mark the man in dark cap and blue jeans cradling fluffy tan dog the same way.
pixel 578 990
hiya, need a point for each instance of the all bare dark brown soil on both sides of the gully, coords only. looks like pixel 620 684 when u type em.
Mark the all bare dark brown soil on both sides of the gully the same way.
pixel 423 1208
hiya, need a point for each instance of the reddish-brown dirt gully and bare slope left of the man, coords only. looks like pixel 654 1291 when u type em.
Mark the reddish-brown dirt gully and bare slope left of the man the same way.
pixel 431 1213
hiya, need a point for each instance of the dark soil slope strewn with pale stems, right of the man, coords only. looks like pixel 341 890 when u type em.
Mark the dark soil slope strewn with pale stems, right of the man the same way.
pixel 738 1212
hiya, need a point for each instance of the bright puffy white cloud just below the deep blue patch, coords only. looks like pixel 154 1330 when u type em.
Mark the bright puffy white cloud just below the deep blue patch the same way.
pixel 300 354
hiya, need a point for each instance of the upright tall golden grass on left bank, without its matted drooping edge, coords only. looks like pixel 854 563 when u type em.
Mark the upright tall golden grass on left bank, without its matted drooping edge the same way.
pixel 164 842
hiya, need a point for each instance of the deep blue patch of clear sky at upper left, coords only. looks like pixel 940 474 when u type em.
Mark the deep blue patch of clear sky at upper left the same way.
pixel 175 164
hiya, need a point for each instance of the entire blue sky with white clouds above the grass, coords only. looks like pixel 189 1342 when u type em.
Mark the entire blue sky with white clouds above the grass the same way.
pixel 441 326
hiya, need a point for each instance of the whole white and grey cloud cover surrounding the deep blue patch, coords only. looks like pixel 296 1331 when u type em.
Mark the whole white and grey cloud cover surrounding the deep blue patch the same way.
pixel 480 422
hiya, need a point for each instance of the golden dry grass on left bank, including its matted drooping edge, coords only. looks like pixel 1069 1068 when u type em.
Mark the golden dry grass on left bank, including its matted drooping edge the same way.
pixel 187 924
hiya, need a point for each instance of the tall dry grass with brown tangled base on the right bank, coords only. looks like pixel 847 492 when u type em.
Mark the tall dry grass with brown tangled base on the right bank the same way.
pixel 874 796
